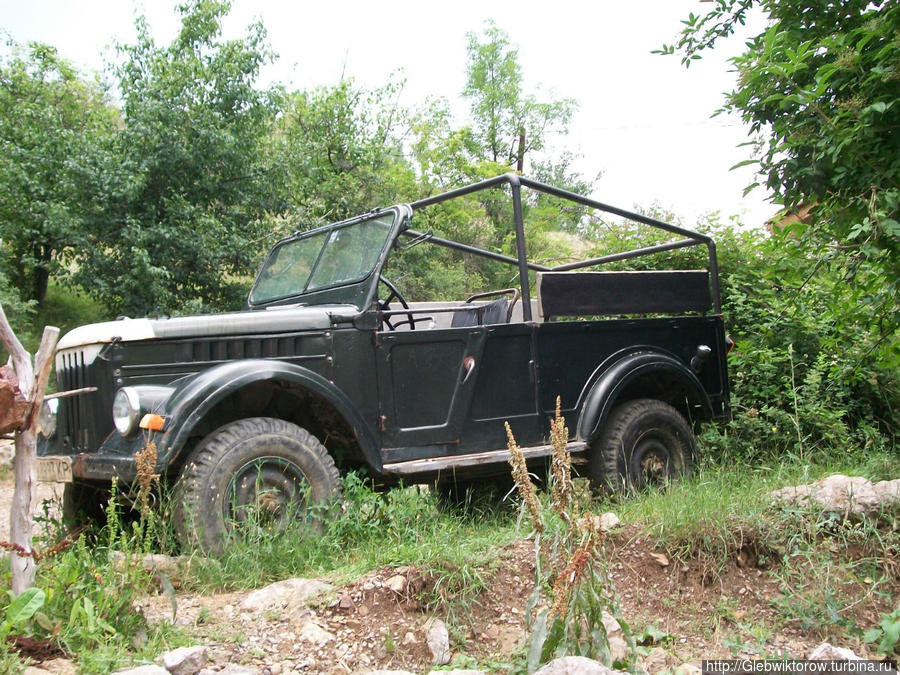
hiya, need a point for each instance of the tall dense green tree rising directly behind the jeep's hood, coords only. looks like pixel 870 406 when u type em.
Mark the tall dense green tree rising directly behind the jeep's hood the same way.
pixel 184 187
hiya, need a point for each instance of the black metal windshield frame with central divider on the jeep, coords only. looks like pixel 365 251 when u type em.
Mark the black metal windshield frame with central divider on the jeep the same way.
pixel 358 291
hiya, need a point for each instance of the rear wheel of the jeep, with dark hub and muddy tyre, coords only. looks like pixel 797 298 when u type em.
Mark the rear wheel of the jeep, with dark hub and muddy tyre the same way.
pixel 645 442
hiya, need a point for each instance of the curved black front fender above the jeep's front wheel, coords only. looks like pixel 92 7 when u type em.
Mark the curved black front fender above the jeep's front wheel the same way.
pixel 192 401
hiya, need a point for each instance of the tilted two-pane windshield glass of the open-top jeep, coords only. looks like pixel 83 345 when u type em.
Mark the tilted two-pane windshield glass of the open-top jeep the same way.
pixel 341 254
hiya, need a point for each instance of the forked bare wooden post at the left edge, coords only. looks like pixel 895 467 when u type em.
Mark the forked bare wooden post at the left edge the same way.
pixel 32 383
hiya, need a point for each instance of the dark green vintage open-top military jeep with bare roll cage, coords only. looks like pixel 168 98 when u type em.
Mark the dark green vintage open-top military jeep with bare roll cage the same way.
pixel 331 367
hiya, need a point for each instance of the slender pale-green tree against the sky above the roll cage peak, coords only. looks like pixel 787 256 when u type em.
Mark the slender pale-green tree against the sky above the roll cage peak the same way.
pixel 508 123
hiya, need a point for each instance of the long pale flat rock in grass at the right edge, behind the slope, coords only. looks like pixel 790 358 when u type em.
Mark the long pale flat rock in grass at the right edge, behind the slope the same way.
pixel 841 494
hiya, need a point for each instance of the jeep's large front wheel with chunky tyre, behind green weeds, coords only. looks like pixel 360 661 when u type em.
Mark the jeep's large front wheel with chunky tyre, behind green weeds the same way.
pixel 256 471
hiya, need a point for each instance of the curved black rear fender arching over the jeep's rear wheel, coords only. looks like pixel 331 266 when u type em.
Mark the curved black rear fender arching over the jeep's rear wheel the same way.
pixel 611 382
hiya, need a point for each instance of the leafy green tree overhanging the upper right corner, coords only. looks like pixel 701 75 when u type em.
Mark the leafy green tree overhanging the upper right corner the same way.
pixel 821 86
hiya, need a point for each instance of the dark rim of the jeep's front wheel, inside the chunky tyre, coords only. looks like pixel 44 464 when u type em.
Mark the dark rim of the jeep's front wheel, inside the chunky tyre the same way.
pixel 268 491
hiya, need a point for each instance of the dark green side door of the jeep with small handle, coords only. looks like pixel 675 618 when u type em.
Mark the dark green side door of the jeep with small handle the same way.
pixel 448 391
